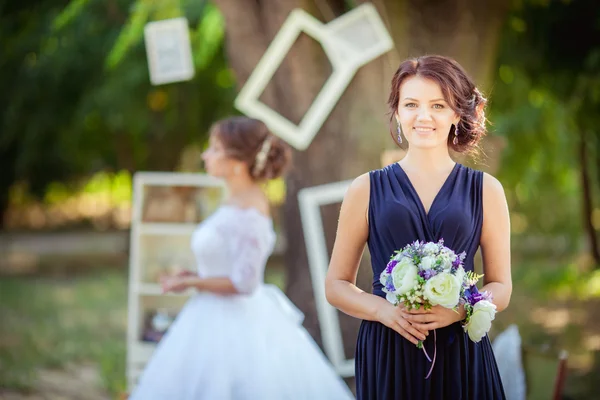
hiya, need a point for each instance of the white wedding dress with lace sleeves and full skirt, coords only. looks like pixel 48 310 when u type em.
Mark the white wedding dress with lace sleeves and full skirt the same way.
pixel 248 346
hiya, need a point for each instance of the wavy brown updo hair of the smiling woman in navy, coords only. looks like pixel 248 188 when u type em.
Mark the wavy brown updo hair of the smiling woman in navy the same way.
pixel 459 91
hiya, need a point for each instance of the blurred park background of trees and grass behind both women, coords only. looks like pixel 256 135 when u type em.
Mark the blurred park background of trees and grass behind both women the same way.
pixel 79 117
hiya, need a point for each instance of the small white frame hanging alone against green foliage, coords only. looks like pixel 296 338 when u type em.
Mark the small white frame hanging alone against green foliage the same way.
pixel 169 51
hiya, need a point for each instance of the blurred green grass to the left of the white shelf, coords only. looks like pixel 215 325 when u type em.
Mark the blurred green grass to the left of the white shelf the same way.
pixel 51 322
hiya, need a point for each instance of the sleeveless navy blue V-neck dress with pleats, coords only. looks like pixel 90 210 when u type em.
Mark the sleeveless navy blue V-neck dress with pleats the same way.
pixel 387 365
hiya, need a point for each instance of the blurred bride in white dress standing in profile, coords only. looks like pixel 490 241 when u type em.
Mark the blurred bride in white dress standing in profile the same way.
pixel 238 338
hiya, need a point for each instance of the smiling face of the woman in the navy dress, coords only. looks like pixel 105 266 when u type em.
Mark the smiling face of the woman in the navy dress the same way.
pixel 423 114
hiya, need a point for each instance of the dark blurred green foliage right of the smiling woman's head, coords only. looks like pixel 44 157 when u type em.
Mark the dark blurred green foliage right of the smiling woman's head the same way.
pixel 545 95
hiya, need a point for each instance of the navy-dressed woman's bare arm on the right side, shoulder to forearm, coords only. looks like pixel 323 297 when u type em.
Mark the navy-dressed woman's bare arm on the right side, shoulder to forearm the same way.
pixel 495 243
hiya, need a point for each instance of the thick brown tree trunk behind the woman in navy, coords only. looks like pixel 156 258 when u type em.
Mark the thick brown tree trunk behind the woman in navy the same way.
pixel 356 132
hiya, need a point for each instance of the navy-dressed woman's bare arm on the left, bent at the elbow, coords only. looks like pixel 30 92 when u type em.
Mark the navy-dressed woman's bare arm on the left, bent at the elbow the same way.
pixel 340 283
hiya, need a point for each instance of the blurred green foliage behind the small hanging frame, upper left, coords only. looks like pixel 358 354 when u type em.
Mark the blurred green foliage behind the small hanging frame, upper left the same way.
pixel 79 99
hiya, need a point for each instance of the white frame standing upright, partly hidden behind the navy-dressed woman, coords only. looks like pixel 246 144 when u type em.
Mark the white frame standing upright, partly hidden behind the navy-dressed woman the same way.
pixel 310 200
